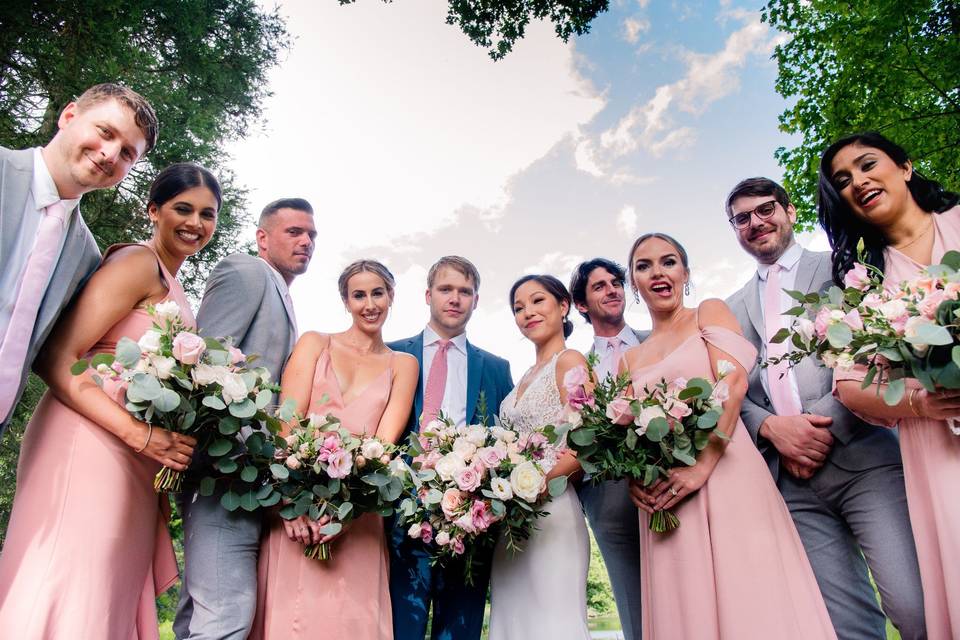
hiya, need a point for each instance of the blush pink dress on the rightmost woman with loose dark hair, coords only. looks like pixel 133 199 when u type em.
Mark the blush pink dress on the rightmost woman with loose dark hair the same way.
pixel 931 468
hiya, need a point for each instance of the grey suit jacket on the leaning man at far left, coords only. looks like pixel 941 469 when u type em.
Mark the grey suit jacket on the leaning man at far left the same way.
pixel 78 260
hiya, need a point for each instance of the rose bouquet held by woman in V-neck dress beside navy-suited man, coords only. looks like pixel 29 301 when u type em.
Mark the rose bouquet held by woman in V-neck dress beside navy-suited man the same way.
pixel 322 470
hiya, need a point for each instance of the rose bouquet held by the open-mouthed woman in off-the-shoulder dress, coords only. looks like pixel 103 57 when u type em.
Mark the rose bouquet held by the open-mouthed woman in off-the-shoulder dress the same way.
pixel 666 425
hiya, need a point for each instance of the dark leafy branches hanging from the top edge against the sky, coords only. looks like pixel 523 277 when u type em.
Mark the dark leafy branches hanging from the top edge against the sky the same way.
pixel 496 25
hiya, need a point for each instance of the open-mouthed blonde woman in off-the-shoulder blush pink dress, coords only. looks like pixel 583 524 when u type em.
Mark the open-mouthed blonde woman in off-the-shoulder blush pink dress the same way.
pixel 735 568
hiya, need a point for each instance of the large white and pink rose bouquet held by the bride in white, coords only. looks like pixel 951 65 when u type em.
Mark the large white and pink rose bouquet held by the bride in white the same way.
pixel 467 485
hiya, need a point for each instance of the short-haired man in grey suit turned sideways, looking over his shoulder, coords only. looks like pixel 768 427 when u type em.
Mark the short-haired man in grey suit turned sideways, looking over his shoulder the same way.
pixel 248 298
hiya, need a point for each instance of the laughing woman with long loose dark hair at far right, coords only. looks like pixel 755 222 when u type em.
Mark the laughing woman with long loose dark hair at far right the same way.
pixel 870 190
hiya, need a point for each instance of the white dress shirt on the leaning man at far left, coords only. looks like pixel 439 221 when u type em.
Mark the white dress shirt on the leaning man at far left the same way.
pixel 43 193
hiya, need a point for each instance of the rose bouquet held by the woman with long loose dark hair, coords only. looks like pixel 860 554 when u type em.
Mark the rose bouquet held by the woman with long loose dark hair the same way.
pixel 907 330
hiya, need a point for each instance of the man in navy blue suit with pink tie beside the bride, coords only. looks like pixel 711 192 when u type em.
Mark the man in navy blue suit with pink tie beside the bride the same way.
pixel 453 375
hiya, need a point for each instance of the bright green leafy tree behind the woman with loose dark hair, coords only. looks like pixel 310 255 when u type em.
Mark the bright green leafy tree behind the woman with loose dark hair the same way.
pixel 891 66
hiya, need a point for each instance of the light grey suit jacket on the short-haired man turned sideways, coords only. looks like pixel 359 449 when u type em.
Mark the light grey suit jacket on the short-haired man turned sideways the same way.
pixel 243 300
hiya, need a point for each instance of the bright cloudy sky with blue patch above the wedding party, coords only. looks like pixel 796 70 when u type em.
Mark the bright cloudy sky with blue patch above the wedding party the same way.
pixel 411 144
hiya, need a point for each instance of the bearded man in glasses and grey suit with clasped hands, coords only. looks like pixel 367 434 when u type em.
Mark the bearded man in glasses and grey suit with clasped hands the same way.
pixel 841 478
